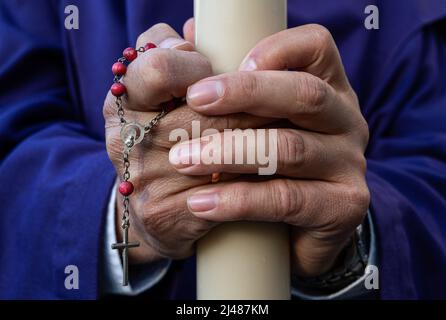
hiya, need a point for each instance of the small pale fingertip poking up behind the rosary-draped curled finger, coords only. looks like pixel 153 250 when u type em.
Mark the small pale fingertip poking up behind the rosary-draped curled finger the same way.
pixel 165 37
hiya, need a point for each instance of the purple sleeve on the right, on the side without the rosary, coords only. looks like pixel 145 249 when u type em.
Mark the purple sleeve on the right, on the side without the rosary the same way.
pixel 407 167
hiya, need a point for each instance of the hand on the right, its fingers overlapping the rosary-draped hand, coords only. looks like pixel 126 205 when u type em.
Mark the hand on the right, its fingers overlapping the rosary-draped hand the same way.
pixel 320 189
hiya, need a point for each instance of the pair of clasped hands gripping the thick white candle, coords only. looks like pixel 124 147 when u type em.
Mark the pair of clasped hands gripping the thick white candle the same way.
pixel 319 187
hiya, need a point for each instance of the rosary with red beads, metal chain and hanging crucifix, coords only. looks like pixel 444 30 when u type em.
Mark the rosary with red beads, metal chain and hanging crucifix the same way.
pixel 132 133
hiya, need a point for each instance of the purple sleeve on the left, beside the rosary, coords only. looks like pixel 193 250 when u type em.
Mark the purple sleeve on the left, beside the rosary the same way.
pixel 55 174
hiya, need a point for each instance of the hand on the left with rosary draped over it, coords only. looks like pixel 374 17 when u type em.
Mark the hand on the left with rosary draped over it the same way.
pixel 160 219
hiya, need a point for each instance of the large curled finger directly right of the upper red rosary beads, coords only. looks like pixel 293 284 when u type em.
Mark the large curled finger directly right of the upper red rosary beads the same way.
pixel 160 75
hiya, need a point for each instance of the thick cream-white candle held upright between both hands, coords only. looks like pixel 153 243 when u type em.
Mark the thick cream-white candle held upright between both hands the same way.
pixel 240 260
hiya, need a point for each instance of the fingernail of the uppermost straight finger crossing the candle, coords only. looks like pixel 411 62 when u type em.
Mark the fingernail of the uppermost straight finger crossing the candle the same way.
pixel 205 92
